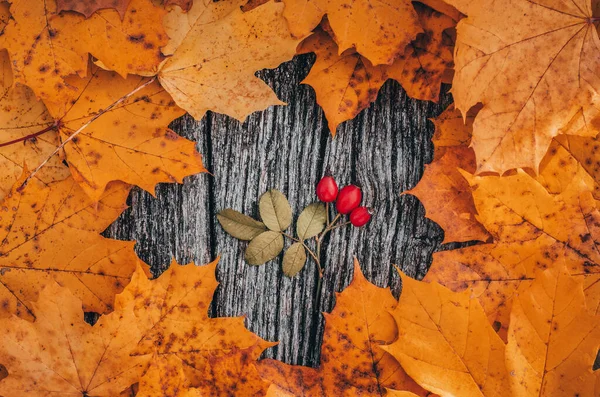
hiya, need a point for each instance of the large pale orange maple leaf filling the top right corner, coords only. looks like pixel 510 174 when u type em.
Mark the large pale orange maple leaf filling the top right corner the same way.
pixel 534 67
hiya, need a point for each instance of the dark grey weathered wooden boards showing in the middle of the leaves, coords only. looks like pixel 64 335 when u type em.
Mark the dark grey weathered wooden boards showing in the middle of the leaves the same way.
pixel 289 148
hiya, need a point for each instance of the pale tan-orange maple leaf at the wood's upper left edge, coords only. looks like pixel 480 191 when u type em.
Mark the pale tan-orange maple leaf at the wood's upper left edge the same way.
pixel 213 68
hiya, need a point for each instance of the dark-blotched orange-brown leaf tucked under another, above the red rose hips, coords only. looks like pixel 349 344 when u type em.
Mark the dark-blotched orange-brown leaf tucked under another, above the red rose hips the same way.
pixel 347 82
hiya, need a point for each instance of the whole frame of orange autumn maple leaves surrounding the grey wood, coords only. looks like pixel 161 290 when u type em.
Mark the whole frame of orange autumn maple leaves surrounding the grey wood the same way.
pixel 524 312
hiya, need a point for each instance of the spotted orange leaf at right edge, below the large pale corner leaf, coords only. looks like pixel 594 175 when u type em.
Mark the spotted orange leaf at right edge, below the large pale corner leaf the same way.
pixel 532 229
